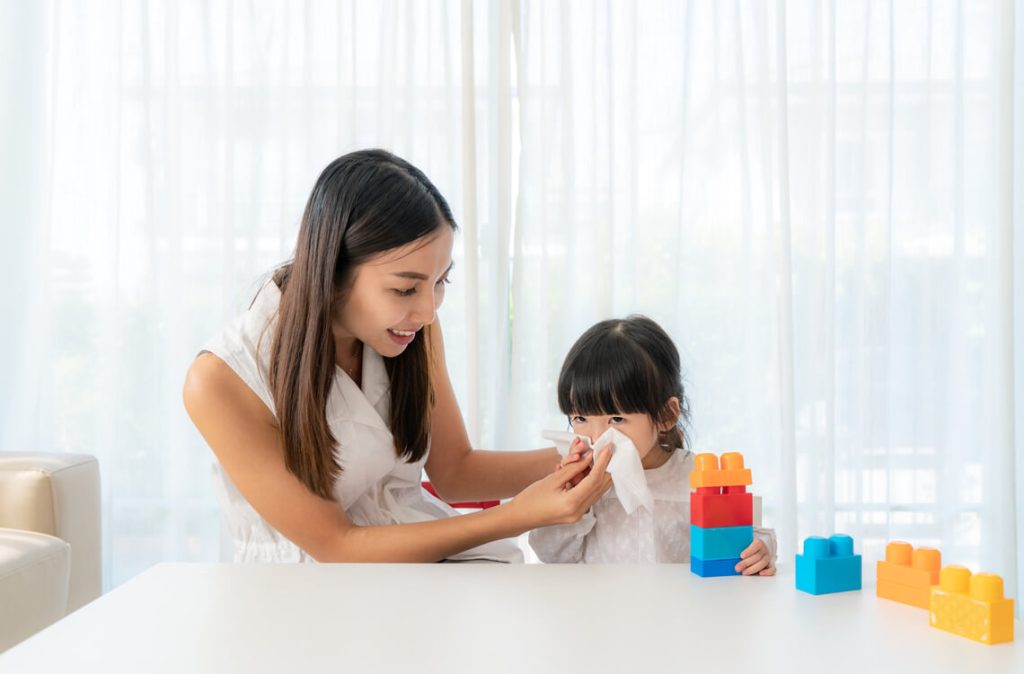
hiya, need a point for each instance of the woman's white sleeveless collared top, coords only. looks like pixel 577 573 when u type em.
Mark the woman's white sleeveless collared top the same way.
pixel 375 487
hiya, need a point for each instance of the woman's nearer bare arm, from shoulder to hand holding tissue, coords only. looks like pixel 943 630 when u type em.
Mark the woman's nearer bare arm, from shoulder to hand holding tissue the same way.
pixel 243 435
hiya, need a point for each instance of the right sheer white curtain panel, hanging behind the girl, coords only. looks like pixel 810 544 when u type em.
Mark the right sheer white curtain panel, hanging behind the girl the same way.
pixel 816 199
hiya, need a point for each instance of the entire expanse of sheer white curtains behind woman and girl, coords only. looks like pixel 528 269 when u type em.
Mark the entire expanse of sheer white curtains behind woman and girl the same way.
pixel 816 199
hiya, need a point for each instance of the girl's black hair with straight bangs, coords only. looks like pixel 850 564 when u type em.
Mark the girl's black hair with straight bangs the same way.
pixel 627 366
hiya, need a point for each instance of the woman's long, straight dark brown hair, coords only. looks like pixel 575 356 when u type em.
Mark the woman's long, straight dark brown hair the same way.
pixel 364 204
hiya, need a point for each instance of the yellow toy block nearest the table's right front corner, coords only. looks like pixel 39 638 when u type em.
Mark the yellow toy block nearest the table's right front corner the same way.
pixel 972 607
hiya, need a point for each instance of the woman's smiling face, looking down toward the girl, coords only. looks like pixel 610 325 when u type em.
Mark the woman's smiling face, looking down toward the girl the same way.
pixel 396 294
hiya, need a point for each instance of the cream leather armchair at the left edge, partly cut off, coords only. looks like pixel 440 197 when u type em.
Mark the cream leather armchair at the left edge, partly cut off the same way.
pixel 50 540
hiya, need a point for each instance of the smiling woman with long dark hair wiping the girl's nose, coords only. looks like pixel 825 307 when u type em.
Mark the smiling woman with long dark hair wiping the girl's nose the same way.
pixel 326 400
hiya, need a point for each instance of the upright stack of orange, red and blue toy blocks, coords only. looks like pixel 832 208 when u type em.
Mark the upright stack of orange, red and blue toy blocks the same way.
pixel 721 515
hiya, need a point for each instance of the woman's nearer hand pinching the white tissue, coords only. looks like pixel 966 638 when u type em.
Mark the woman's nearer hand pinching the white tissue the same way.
pixel 566 495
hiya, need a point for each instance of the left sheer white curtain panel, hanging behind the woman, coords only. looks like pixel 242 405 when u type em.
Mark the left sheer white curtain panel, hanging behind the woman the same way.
pixel 159 156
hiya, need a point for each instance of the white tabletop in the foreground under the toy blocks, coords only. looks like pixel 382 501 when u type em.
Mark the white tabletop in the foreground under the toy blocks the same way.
pixel 492 618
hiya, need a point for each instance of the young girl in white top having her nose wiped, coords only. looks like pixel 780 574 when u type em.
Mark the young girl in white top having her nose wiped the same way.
pixel 625 374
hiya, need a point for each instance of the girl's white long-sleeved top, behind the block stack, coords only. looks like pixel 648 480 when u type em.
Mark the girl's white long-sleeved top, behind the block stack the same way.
pixel 608 535
